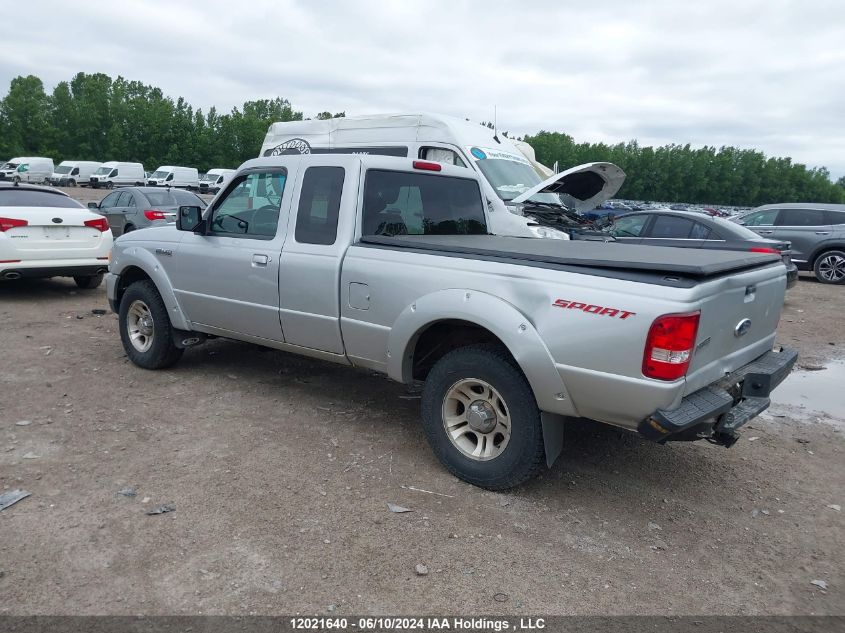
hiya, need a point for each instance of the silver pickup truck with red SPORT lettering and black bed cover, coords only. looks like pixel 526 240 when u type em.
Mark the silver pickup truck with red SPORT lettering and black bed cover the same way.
pixel 386 263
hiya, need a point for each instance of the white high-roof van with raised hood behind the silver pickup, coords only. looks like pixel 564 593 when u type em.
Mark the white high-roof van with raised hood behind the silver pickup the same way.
pixel 520 200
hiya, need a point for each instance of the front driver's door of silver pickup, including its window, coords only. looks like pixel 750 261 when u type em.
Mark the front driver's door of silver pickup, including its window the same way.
pixel 227 279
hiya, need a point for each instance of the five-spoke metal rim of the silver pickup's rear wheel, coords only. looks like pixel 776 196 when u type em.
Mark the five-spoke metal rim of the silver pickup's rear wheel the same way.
pixel 476 419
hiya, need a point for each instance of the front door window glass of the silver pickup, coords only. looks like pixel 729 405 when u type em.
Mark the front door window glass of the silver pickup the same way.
pixel 250 208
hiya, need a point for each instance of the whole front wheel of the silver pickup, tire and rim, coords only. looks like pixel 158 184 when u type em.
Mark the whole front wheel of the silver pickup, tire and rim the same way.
pixel 145 328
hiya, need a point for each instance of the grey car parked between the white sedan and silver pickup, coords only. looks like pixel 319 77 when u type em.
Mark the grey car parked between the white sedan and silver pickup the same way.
pixel 138 207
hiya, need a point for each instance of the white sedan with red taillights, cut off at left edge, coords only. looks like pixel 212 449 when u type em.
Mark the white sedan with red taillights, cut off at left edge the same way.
pixel 46 233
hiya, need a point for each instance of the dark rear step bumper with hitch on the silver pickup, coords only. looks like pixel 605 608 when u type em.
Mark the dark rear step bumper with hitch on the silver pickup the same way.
pixel 716 412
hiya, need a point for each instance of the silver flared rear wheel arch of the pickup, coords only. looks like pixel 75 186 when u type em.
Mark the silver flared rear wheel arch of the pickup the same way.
pixel 495 315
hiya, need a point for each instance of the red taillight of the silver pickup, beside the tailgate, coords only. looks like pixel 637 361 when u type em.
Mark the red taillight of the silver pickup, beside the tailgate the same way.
pixel 669 346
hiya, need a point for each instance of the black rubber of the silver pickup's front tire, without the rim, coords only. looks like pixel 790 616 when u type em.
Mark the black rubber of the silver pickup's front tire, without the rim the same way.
pixel 161 352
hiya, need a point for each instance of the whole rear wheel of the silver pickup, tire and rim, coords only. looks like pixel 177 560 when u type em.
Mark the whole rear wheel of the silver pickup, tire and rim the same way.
pixel 503 460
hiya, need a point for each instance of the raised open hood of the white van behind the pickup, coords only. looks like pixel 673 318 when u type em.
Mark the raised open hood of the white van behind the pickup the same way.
pixel 582 188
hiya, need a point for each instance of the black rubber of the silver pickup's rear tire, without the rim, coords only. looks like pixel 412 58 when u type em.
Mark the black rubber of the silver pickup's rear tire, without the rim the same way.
pixel 523 456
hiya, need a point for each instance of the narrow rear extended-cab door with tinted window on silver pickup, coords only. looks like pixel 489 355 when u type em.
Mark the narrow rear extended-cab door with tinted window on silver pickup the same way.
pixel 321 226
